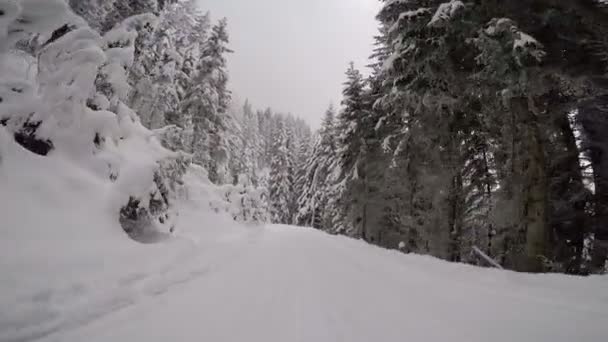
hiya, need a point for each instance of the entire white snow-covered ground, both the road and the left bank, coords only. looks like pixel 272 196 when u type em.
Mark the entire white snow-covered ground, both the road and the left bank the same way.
pixel 70 273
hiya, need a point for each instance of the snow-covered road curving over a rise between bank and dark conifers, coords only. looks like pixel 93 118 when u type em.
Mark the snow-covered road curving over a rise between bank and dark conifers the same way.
pixel 289 284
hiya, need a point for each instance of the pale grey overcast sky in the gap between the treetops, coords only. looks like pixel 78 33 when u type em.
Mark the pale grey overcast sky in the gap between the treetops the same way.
pixel 291 55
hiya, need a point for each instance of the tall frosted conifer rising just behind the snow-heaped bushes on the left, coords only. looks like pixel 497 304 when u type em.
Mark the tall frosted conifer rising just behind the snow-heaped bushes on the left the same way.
pixel 164 71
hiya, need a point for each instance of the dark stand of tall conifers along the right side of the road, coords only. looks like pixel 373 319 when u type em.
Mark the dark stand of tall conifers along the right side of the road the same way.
pixel 483 125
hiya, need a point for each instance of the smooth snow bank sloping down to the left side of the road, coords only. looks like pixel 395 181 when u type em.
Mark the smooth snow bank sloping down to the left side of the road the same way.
pixel 60 238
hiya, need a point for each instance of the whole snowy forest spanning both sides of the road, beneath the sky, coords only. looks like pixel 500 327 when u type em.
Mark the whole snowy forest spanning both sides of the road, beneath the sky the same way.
pixel 480 133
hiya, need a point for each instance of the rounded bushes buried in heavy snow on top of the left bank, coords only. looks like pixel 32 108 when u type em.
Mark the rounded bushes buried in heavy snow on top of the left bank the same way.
pixel 73 107
